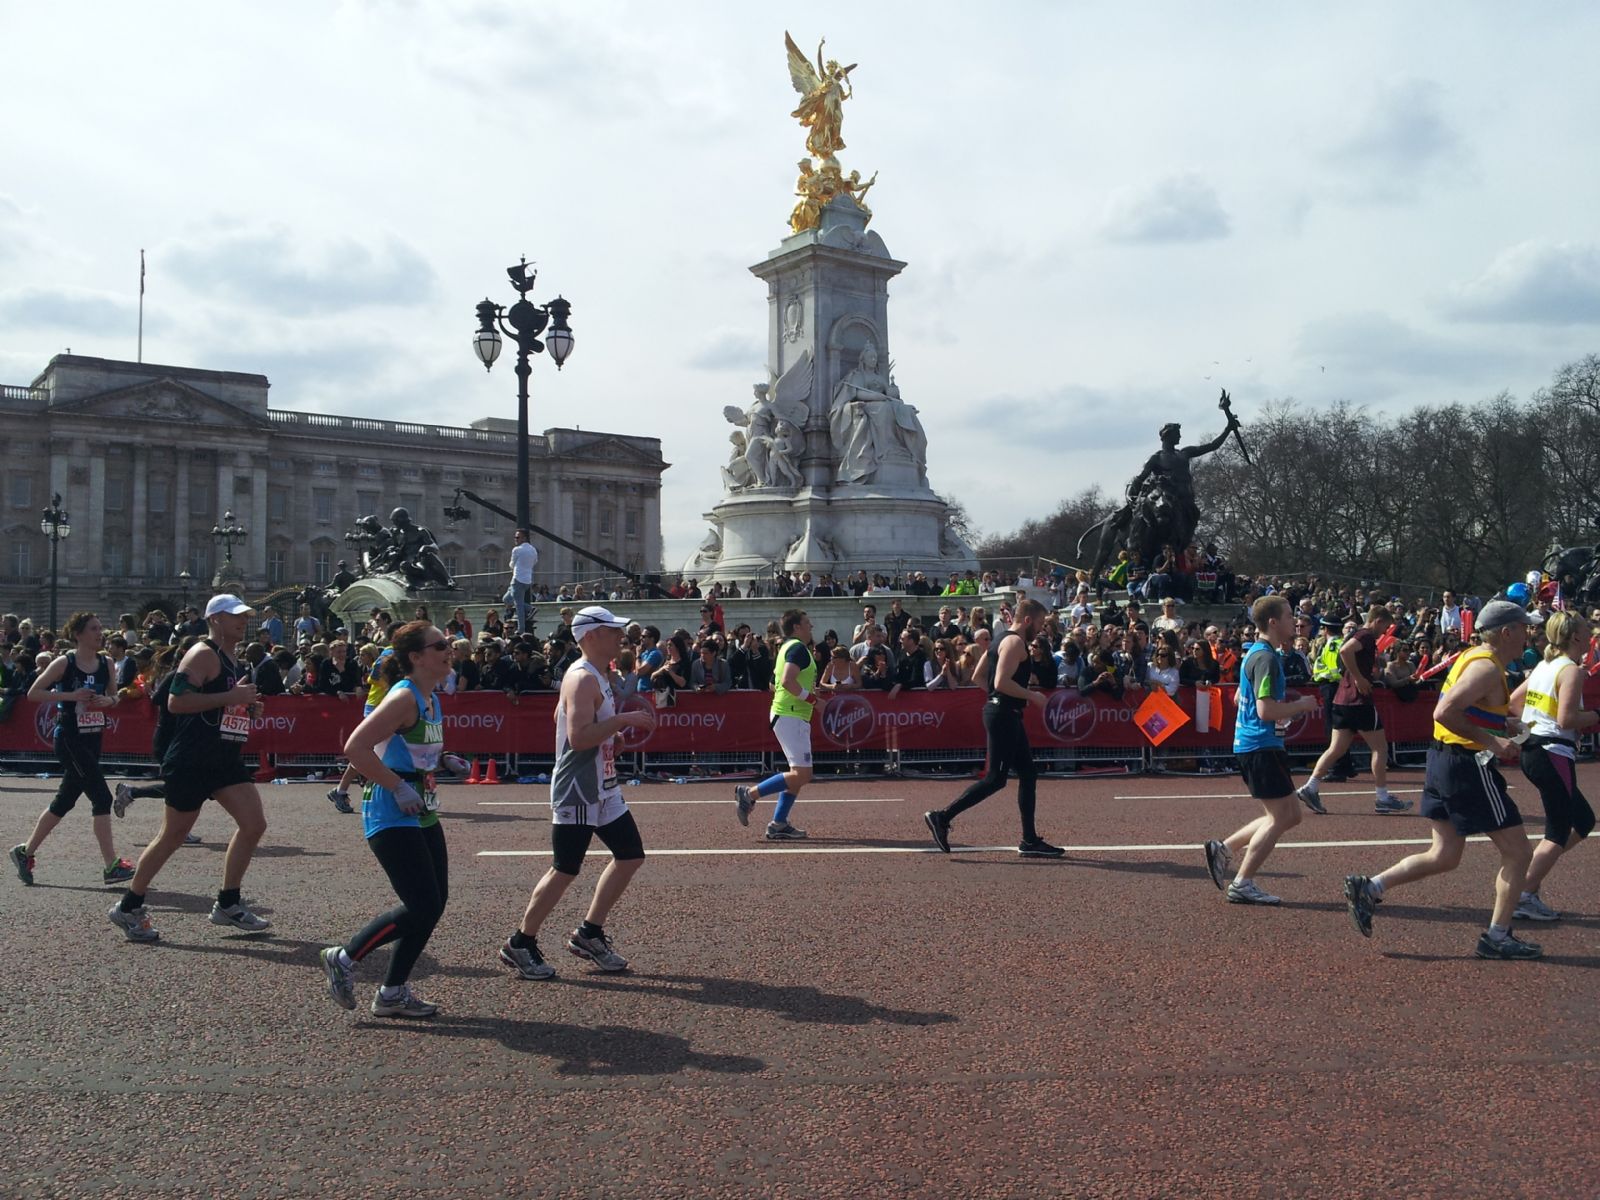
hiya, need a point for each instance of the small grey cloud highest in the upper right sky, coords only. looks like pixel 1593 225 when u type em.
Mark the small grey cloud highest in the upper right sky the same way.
pixel 1401 138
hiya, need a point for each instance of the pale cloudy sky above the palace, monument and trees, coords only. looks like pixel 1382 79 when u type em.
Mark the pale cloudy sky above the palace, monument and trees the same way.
pixel 1108 212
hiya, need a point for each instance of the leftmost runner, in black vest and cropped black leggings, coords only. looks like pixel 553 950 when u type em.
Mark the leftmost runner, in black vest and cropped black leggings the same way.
pixel 82 689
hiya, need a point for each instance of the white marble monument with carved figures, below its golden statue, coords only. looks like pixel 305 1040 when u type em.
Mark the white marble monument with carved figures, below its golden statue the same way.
pixel 830 463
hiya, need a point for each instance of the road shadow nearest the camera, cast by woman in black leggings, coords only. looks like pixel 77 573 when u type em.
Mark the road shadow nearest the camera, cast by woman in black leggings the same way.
pixel 604 1050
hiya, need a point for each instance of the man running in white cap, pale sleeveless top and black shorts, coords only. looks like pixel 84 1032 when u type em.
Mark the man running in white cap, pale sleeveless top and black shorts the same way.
pixel 586 802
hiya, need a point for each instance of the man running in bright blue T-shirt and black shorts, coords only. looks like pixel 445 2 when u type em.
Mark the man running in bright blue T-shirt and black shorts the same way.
pixel 1258 750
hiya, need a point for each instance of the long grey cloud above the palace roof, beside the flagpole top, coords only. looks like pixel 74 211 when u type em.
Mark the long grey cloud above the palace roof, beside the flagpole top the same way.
pixel 270 268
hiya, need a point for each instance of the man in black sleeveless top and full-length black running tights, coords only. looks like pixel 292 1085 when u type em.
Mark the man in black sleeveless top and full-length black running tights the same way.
pixel 1009 698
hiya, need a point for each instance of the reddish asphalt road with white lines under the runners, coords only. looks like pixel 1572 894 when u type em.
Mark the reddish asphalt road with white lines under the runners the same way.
pixel 855 1017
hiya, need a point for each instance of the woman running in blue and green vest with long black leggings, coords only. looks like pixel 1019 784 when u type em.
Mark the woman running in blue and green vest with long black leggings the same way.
pixel 399 750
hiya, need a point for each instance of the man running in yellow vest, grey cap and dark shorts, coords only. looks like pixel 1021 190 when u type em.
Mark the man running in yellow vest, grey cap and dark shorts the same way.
pixel 1465 793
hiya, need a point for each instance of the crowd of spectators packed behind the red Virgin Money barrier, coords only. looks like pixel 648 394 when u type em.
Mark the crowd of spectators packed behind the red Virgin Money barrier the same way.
pixel 1095 641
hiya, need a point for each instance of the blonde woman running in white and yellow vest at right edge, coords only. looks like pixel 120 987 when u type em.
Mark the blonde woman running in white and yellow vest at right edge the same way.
pixel 1554 716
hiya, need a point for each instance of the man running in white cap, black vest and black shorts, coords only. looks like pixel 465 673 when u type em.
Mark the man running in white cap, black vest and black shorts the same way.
pixel 206 761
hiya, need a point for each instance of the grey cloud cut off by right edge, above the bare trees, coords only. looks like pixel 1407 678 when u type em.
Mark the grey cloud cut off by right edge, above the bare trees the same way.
pixel 1537 284
